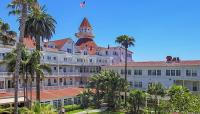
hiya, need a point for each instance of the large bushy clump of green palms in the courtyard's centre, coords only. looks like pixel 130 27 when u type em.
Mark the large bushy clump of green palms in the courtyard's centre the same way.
pixel 109 85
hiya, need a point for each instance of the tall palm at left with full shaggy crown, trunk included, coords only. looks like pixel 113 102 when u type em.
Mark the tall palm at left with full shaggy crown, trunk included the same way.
pixel 40 26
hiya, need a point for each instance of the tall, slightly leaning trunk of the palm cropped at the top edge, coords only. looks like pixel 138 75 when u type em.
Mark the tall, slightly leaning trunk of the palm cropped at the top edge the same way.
pixel 17 66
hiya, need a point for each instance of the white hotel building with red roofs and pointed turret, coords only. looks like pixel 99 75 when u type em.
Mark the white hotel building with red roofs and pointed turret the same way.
pixel 72 64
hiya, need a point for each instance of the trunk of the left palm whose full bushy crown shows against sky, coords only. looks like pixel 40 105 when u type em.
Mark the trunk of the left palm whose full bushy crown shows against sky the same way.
pixel 37 74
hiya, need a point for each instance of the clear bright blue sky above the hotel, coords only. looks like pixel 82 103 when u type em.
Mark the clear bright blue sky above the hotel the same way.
pixel 160 27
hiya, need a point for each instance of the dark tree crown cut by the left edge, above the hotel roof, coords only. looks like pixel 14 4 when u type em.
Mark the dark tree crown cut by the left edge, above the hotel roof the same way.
pixel 6 35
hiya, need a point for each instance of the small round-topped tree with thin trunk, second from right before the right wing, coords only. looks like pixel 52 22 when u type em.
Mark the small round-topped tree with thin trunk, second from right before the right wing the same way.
pixel 155 90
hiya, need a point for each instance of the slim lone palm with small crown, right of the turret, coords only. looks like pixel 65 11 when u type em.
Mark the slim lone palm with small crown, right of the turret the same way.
pixel 126 41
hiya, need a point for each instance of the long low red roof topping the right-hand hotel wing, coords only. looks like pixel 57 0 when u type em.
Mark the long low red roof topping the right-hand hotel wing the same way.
pixel 161 64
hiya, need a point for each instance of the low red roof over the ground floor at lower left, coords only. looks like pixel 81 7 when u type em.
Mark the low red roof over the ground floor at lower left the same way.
pixel 49 94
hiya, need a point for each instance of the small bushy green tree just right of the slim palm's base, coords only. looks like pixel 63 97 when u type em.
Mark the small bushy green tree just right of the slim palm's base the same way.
pixel 136 100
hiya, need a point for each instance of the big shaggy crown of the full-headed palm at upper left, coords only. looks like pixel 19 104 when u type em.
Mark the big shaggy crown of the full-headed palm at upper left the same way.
pixel 40 24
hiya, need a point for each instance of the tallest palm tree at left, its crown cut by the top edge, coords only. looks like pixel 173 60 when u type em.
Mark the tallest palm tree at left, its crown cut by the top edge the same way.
pixel 19 7
